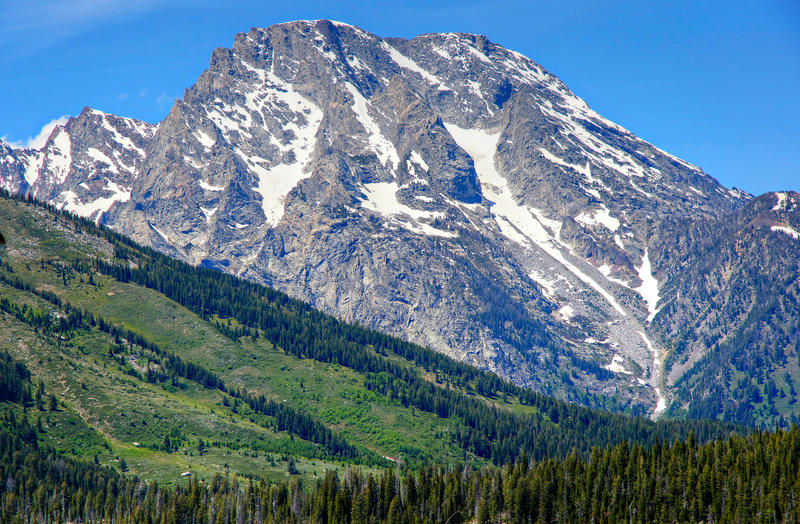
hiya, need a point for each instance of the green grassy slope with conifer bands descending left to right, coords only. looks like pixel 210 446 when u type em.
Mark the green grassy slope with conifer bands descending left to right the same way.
pixel 97 320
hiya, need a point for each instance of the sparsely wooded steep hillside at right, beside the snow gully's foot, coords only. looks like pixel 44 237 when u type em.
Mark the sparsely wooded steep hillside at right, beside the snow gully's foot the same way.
pixel 733 293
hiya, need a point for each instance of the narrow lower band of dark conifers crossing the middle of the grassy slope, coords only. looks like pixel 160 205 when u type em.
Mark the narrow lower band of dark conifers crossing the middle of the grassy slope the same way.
pixel 171 366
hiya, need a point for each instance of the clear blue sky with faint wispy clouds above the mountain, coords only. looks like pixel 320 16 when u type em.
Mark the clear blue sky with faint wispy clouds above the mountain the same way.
pixel 715 83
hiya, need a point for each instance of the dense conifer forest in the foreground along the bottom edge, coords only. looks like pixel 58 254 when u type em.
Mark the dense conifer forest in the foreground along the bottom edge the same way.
pixel 741 479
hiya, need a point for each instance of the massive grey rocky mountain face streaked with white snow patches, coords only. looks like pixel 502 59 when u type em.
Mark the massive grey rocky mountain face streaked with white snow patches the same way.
pixel 443 189
